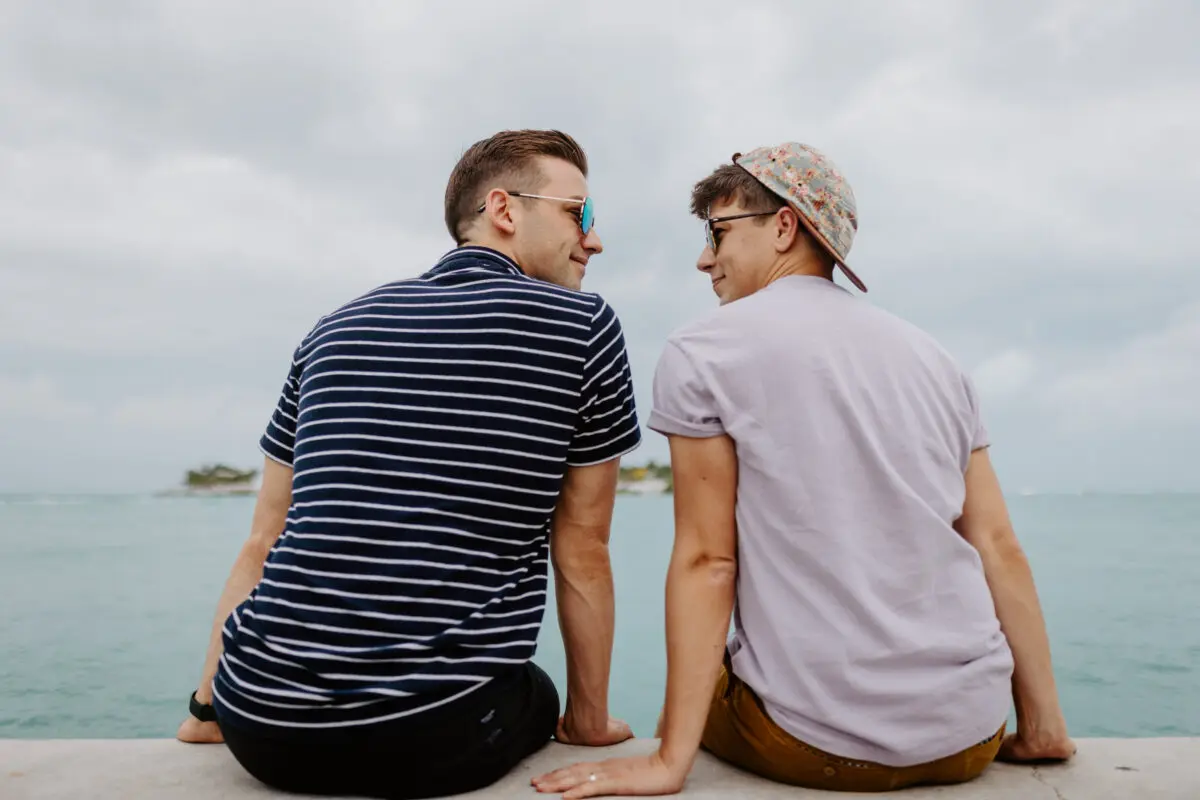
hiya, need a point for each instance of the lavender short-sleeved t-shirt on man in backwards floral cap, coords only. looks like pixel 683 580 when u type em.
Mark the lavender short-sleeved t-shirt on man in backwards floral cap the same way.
pixel 863 619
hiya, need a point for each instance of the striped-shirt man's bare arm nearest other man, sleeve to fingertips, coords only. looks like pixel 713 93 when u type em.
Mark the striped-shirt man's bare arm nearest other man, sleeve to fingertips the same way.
pixel 584 590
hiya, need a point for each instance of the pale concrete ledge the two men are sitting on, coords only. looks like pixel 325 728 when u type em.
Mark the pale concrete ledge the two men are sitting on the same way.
pixel 1105 769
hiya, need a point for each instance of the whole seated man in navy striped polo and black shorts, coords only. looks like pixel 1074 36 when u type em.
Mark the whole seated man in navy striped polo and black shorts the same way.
pixel 437 444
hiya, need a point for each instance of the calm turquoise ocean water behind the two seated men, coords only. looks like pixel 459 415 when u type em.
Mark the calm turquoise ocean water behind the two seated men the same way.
pixel 107 604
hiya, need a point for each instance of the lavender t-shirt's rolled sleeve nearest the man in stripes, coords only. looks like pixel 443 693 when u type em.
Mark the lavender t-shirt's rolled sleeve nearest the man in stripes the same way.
pixel 683 405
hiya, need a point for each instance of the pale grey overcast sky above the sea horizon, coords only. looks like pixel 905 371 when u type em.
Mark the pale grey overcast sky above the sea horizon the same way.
pixel 187 187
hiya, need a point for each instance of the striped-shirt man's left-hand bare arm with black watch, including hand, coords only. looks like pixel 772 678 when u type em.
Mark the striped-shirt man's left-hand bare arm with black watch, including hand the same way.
pixel 271 515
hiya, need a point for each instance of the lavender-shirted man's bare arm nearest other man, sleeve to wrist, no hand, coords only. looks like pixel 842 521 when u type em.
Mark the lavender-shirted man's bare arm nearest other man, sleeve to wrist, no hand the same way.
pixel 701 588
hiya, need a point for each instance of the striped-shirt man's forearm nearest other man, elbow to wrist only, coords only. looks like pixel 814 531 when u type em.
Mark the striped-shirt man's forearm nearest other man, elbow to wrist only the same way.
pixel 585 596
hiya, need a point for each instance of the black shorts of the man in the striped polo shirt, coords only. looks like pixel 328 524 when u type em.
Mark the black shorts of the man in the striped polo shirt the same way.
pixel 465 747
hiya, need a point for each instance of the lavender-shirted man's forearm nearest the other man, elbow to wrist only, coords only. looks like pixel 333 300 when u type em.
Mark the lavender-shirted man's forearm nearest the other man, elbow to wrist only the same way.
pixel 699 604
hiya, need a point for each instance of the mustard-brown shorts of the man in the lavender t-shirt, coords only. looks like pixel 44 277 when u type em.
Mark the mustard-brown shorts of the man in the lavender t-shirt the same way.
pixel 740 732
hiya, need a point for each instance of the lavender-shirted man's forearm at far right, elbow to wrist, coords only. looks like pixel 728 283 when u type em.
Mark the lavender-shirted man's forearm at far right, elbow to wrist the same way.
pixel 1016 598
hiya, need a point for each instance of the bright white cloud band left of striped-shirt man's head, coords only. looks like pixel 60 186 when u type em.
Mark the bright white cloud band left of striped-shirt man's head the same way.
pixel 190 212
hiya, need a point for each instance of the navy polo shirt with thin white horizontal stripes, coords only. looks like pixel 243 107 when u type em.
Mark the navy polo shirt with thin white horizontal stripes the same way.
pixel 430 425
